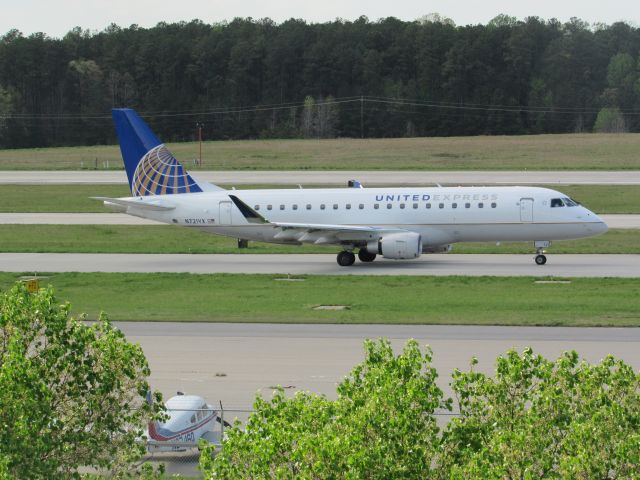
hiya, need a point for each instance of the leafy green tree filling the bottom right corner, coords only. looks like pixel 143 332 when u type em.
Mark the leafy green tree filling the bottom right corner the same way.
pixel 541 419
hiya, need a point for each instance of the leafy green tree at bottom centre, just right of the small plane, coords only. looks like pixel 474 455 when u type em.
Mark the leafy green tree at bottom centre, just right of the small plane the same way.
pixel 381 426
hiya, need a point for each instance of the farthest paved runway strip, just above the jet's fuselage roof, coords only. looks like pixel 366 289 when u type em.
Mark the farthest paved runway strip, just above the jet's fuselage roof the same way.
pixel 293 177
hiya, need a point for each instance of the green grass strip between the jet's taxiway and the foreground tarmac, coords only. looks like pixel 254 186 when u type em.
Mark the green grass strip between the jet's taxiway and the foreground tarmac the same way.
pixel 393 299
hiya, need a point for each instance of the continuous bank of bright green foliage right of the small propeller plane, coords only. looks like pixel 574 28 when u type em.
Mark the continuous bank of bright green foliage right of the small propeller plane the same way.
pixel 533 419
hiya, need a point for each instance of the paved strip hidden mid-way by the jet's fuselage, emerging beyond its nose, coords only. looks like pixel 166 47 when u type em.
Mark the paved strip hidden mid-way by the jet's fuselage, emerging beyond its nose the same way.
pixel 613 221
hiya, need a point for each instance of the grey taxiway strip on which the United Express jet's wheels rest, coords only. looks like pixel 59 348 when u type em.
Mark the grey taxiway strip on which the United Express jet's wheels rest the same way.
pixel 321 264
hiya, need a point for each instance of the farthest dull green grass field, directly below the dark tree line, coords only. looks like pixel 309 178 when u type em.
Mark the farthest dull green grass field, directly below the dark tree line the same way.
pixel 533 152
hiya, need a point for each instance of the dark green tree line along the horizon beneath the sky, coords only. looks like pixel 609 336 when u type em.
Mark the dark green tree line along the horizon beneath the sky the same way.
pixel 259 79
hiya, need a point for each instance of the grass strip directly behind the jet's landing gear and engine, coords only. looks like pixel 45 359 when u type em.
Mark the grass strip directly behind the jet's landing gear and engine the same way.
pixel 173 239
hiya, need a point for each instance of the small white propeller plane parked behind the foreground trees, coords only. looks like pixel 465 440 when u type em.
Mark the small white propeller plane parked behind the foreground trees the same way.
pixel 190 419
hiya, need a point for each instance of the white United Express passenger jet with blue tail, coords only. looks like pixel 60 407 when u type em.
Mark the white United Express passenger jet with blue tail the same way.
pixel 396 223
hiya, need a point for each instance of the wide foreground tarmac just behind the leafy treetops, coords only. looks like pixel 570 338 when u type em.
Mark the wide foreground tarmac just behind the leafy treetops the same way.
pixel 255 357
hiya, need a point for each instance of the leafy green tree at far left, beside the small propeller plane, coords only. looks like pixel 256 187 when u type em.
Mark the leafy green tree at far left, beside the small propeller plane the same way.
pixel 71 394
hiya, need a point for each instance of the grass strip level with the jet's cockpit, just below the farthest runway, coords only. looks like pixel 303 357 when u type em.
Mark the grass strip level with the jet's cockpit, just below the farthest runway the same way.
pixel 75 198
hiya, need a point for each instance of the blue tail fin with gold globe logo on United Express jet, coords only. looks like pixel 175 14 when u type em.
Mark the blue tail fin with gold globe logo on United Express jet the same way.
pixel 151 169
